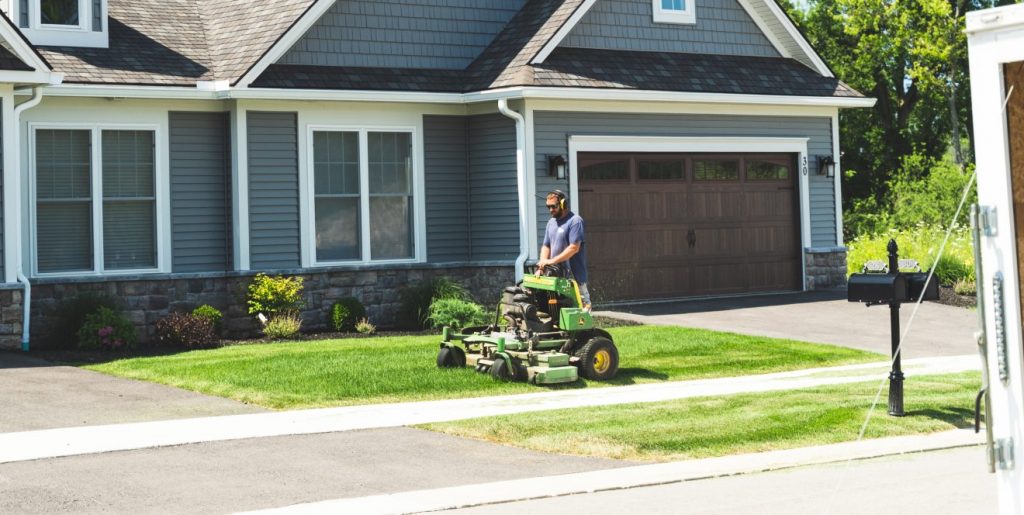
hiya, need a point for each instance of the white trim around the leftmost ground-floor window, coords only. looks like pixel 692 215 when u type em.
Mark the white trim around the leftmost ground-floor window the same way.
pixel 162 238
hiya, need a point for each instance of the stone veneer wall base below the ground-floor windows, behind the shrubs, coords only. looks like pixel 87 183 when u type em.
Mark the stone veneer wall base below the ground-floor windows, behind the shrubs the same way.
pixel 148 299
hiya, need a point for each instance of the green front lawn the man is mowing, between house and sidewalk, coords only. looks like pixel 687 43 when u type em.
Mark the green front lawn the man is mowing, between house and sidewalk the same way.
pixel 331 373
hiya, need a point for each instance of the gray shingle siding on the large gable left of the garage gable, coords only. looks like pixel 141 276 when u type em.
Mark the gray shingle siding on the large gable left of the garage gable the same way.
pixel 435 34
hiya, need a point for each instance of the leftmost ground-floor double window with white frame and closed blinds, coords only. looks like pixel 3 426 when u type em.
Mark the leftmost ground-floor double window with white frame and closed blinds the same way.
pixel 96 207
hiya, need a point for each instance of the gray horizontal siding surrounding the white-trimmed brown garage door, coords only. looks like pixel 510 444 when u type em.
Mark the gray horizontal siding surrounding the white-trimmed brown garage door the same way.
pixel 552 131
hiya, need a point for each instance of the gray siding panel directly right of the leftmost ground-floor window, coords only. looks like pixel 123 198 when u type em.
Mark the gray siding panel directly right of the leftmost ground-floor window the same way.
pixel 201 196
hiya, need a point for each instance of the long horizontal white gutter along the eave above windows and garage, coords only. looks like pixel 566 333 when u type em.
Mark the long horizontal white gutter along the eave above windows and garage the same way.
pixel 205 93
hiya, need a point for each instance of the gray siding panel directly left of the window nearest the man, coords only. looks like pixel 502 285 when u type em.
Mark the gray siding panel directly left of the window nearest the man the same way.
pixel 274 191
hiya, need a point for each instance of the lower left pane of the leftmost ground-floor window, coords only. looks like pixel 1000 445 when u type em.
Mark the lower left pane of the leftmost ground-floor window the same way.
pixel 64 236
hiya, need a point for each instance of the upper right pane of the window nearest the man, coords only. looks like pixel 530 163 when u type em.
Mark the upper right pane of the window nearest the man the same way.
pixel 391 162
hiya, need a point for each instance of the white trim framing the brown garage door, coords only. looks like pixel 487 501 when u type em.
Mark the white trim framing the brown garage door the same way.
pixel 702 145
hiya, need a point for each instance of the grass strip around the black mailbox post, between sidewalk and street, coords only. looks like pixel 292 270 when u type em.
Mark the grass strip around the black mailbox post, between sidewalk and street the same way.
pixel 705 427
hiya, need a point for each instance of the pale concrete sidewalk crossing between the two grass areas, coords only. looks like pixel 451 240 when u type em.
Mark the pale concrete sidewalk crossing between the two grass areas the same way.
pixel 19 447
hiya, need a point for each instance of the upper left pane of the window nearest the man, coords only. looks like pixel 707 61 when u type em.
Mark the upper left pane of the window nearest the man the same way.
pixel 336 163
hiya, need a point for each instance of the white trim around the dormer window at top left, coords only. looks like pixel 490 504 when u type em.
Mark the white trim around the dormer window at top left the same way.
pixel 81 35
